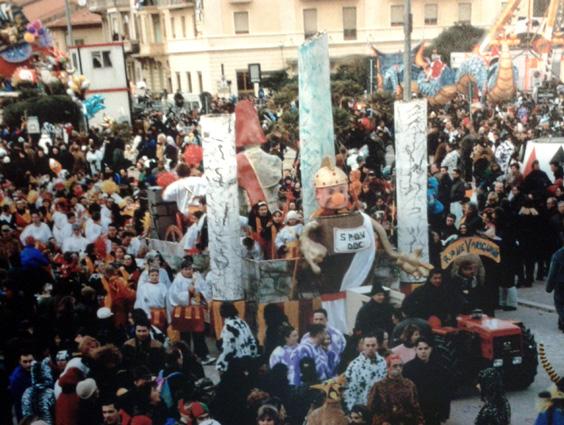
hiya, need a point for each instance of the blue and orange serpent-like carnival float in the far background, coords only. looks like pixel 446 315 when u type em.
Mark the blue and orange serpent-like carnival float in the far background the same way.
pixel 489 68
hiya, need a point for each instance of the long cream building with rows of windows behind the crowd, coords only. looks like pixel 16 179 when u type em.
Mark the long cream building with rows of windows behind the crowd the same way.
pixel 207 45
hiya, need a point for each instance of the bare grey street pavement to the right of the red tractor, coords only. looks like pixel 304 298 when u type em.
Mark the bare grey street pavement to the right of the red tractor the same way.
pixel 543 325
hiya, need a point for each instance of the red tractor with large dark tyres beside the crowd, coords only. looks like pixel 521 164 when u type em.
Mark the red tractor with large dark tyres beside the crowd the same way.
pixel 479 341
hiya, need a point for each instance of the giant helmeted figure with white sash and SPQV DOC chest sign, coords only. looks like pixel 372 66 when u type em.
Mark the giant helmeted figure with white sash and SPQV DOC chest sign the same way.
pixel 340 244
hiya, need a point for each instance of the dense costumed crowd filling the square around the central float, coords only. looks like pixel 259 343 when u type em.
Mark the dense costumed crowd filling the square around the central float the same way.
pixel 87 308
